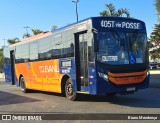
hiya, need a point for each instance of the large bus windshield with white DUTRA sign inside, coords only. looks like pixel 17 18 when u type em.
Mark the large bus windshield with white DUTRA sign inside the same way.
pixel 122 48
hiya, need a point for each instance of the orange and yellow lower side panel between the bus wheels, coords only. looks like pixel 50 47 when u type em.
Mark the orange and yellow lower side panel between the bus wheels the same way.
pixel 41 75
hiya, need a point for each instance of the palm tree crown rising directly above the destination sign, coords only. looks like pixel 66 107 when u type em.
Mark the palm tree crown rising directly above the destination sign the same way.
pixel 111 11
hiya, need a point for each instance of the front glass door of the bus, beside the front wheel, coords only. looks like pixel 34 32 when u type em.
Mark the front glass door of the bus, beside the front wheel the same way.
pixel 81 55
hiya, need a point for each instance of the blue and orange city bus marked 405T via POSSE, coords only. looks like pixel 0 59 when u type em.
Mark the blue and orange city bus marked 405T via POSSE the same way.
pixel 96 56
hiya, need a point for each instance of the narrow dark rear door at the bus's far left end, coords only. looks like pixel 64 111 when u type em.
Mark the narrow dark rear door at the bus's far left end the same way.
pixel 12 56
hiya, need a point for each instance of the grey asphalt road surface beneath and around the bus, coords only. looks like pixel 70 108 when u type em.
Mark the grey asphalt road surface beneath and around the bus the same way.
pixel 12 100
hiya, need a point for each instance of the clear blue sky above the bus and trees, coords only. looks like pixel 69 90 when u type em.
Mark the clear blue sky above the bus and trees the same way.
pixel 43 14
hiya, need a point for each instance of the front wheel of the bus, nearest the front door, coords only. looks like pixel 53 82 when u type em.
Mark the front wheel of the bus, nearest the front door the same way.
pixel 69 90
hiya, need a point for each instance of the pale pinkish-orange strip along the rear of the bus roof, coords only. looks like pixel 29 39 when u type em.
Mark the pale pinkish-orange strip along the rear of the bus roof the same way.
pixel 35 37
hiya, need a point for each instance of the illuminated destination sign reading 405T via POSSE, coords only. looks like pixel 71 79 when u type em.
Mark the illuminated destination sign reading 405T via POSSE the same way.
pixel 120 24
